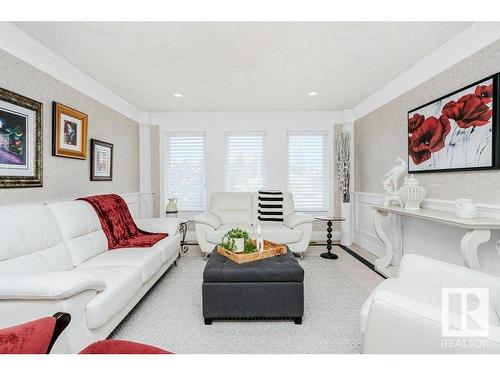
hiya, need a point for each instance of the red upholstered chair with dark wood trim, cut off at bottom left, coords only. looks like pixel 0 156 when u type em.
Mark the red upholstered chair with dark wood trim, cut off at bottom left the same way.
pixel 38 337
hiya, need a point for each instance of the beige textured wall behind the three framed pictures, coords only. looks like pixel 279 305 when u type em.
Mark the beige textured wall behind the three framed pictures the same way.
pixel 68 178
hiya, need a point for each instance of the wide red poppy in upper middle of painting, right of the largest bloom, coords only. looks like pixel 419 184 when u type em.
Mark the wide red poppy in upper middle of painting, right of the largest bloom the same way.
pixel 468 111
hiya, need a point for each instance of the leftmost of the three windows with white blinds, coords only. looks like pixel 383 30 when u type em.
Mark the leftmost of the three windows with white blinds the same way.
pixel 185 171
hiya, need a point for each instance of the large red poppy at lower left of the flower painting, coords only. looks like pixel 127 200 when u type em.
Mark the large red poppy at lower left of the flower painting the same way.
pixel 428 138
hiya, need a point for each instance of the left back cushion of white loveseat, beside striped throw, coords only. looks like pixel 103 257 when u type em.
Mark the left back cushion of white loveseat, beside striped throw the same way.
pixel 232 207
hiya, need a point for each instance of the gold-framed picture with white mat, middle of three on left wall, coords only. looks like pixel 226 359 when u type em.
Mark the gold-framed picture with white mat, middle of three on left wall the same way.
pixel 69 132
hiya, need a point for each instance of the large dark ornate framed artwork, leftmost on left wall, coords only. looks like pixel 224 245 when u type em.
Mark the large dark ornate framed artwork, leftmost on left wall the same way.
pixel 21 143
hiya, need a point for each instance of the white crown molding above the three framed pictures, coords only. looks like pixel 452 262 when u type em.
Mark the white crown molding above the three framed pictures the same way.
pixel 19 44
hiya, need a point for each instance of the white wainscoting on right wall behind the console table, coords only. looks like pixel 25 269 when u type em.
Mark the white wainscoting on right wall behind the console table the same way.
pixel 410 235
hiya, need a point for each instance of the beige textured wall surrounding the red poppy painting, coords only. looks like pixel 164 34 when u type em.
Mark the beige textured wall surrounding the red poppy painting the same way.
pixel 381 135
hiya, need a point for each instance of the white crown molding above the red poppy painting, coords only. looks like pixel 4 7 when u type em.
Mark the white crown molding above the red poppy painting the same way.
pixel 466 43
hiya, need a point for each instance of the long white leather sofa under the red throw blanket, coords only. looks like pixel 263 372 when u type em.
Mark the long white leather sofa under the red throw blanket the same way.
pixel 54 257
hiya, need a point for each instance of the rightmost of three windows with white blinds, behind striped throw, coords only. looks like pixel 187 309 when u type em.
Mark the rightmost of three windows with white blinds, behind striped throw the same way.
pixel 308 171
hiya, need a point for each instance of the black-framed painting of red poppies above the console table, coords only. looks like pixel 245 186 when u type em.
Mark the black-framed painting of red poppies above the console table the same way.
pixel 458 132
